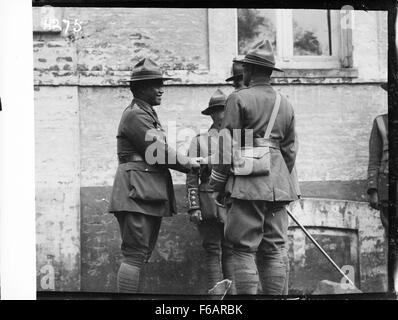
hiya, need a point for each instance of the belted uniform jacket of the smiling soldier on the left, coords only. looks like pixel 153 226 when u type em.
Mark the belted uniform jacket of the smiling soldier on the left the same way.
pixel 143 186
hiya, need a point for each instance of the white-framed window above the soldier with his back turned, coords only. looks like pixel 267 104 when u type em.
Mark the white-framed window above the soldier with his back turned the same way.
pixel 301 38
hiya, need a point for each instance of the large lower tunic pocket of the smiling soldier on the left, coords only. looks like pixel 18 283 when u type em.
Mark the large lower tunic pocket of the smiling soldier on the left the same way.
pixel 147 185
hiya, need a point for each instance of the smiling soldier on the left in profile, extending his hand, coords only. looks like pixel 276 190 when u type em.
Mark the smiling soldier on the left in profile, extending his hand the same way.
pixel 143 190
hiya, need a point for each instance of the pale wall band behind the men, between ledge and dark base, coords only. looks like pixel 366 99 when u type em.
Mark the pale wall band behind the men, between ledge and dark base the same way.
pixel 333 125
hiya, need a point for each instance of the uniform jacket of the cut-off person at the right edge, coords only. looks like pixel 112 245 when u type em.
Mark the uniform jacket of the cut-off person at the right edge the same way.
pixel 378 157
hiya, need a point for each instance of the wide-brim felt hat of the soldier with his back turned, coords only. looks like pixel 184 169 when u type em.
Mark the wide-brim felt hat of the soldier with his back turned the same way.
pixel 262 55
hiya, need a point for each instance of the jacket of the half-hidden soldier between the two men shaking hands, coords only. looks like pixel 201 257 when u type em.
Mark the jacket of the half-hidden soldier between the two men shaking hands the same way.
pixel 197 183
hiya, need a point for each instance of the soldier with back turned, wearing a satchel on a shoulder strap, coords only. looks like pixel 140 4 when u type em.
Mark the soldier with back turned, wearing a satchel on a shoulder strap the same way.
pixel 257 220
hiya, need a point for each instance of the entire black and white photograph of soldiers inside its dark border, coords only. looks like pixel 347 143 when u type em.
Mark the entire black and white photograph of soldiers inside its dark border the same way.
pixel 212 152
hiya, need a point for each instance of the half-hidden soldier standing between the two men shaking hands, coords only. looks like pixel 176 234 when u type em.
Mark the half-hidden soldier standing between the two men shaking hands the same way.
pixel 202 207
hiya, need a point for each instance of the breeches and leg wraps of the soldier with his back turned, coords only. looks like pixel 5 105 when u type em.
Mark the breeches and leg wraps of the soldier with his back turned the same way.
pixel 258 233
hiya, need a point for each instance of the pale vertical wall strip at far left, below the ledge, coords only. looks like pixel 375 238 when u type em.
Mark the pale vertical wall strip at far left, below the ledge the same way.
pixel 57 137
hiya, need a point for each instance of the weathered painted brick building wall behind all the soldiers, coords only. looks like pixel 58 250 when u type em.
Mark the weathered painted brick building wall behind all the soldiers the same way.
pixel 79 97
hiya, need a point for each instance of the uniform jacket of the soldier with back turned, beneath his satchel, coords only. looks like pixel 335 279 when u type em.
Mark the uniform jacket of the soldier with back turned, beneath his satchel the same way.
pixel 250 108
